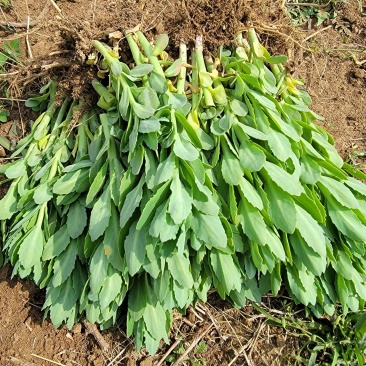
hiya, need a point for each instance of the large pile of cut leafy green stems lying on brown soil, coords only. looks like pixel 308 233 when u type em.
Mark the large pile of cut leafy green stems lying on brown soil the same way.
pixel 184 177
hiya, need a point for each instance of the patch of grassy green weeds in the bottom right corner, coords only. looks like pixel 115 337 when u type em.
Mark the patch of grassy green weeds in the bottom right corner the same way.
pixel 336 340
